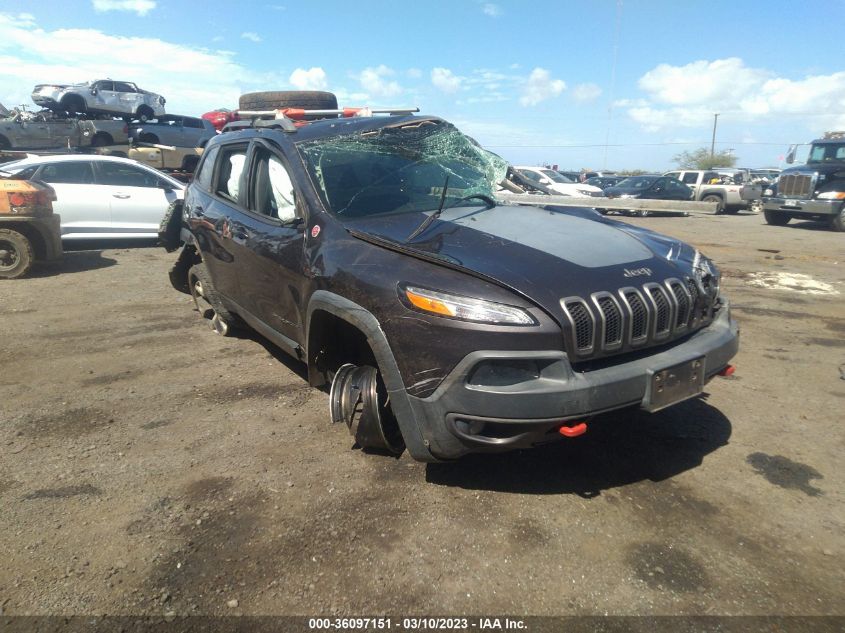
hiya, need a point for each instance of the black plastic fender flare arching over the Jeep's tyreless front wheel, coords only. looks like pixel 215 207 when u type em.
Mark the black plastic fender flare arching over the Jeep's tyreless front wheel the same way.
pixel 366 322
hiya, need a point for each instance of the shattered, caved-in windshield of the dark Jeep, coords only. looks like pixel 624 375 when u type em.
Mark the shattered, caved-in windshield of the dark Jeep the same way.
pixel 400 169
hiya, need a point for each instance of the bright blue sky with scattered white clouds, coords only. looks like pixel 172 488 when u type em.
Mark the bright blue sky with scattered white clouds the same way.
pixel 607 83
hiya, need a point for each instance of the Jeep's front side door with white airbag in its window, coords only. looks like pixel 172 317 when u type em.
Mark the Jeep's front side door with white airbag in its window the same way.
pixel 269 233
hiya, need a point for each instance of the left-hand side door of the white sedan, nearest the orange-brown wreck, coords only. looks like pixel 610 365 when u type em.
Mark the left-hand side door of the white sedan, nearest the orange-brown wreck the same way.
pixel 83 206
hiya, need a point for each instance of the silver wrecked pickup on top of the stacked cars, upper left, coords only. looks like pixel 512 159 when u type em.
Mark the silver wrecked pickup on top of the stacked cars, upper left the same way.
pixel 105 96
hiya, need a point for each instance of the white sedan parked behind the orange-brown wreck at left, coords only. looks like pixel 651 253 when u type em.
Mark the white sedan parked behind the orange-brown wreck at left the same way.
pixel 102 196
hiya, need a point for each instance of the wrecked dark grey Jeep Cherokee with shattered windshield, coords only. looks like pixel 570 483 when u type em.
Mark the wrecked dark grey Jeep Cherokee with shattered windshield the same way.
pixel 374 250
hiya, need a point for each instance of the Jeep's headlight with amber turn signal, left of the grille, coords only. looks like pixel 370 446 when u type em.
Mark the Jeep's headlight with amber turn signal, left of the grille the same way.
pixel 465 308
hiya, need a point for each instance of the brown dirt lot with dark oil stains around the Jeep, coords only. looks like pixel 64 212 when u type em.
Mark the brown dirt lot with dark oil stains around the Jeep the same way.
pixel 150 467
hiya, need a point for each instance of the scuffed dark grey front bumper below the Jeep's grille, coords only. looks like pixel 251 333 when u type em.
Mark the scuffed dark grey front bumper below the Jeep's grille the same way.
pixel 464 415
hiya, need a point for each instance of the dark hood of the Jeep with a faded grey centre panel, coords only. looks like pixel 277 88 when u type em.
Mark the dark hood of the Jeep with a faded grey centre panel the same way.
pixel 544 255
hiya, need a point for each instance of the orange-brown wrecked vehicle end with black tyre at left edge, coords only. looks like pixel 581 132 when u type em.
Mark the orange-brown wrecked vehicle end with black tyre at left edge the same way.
pixel 29 230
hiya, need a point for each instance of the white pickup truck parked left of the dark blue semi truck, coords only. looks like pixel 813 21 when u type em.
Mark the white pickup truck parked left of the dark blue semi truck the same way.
pixel 730 189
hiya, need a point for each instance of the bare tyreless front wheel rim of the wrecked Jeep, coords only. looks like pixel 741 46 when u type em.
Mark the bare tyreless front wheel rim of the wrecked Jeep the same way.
pixel 358 398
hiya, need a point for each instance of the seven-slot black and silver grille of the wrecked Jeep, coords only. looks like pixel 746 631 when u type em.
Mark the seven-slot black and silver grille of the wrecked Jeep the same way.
pixel 634 317
